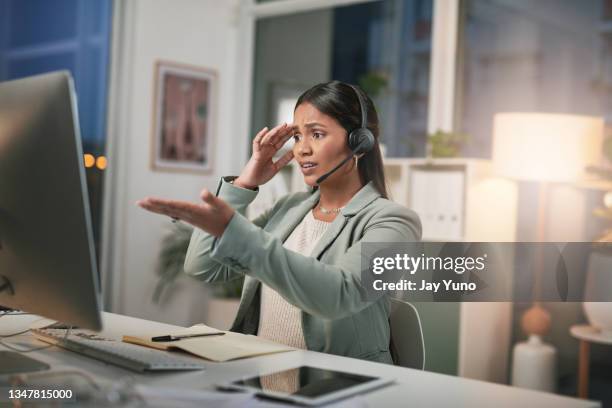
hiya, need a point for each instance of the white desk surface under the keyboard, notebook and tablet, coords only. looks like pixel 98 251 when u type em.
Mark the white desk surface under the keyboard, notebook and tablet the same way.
pixel 413 387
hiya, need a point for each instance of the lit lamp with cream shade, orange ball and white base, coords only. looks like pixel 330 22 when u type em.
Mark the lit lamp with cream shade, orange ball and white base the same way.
pixel 544 148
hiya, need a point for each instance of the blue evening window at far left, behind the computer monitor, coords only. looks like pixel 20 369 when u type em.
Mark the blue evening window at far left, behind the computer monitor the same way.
pixel 38 36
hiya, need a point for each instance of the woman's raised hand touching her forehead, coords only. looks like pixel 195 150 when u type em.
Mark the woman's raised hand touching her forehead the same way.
pixel 260 168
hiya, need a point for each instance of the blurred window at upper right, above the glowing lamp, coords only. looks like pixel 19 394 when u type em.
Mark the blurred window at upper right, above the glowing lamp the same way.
pixel 520 55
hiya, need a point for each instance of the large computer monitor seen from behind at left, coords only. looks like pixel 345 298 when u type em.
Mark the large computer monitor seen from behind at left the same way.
pixel 47 257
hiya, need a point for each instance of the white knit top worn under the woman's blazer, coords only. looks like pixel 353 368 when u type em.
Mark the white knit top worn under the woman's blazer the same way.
pixel 279 320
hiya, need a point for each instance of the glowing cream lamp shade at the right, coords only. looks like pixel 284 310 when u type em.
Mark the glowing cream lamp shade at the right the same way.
pixel 546 147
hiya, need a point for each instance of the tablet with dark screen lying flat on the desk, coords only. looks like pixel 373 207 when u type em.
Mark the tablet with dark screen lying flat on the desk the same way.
pixel 308 385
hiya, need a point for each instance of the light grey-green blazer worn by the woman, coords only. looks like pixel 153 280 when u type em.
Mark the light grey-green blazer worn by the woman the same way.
pixel 326 286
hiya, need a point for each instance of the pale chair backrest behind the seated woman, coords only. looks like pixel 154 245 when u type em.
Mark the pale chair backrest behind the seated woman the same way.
pixel 407 344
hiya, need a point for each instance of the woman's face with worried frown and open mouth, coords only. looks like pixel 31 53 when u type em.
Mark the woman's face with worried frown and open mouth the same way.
pixel 320 144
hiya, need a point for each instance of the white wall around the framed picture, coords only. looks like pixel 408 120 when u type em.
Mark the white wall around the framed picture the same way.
pixel 196 32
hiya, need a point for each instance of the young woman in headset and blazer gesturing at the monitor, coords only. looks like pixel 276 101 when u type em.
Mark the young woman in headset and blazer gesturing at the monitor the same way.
pixel 301 258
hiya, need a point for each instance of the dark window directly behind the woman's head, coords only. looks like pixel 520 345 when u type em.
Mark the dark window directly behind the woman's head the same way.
pixel 384 46
